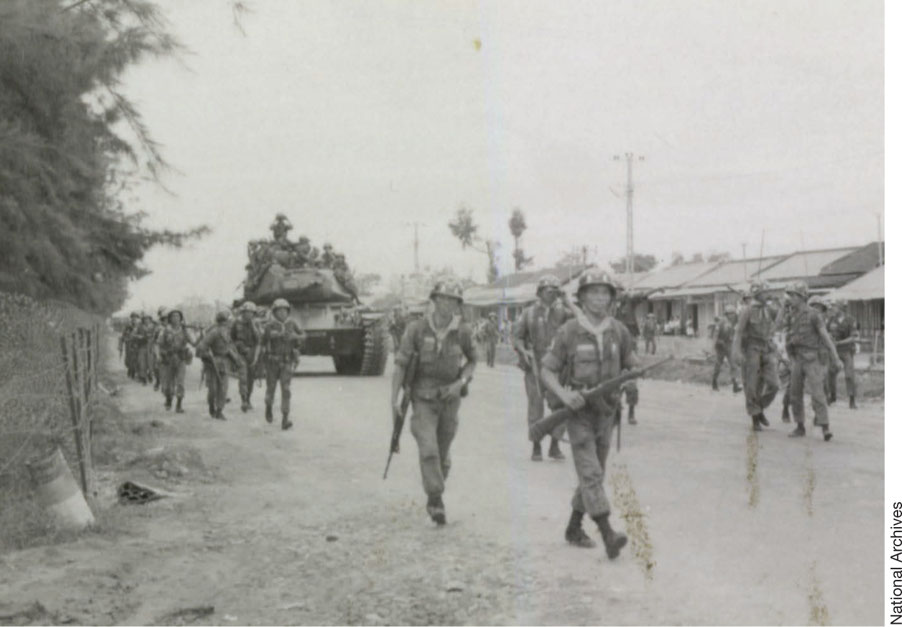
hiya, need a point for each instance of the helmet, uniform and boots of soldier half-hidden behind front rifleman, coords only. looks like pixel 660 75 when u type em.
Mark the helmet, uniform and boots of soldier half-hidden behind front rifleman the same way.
pixel 534 331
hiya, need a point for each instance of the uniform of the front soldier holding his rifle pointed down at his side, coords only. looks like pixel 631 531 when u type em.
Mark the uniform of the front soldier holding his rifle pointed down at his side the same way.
pixel 442 355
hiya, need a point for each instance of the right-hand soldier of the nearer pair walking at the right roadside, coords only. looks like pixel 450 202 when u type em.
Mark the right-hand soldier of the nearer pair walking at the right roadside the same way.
pixel 805 336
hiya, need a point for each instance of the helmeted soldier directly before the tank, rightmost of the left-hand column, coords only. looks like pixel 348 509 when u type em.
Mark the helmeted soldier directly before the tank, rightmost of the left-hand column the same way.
pixel 281 341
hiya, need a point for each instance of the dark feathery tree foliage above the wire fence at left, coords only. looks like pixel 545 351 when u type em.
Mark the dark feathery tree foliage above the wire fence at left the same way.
pixel 72 145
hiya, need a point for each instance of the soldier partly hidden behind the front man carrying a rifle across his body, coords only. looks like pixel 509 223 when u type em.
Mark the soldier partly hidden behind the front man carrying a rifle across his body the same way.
pixel 532 335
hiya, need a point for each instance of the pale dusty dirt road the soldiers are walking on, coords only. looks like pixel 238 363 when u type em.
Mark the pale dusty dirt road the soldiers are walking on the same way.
pixel 299 527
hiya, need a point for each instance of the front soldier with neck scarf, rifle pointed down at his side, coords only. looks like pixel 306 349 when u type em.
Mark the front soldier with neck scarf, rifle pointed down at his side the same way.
pixel 445 364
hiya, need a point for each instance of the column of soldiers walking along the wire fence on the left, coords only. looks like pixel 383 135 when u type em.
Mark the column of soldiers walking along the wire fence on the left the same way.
pixel 253 342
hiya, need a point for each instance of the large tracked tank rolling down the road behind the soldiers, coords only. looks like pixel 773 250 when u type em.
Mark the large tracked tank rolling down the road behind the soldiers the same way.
pixel 325 305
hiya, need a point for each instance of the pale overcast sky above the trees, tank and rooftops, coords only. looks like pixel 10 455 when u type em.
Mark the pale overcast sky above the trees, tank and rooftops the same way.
pixel 758 122
